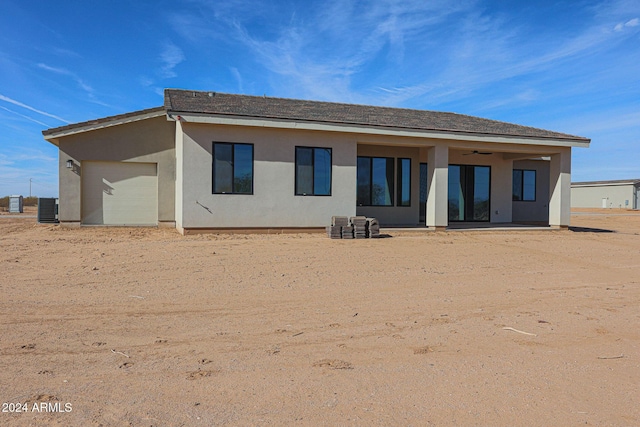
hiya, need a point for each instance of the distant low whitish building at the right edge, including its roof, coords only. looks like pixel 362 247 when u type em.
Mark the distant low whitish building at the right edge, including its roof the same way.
pixel 620 194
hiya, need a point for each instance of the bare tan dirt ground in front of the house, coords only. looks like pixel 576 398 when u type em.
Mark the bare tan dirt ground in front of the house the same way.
pixel 145 327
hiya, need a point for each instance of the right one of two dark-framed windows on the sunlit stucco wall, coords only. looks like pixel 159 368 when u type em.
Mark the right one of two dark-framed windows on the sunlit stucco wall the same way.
pixel 313 171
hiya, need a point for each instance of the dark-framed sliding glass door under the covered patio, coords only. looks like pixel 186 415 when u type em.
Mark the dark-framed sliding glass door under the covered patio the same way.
pixel 469 192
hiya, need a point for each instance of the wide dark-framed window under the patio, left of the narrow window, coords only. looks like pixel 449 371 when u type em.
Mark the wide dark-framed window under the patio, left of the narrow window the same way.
pixel 374 181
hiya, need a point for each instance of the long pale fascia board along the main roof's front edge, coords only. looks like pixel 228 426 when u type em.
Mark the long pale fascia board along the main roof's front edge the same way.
pixel 352 128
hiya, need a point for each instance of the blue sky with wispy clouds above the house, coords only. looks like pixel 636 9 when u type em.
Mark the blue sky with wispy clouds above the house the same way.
pixel 568 66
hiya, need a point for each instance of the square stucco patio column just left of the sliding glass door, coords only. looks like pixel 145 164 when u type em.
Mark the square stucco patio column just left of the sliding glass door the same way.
pixel 438 185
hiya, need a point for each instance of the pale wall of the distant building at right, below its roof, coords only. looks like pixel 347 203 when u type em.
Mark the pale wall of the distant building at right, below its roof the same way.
pixel 616 195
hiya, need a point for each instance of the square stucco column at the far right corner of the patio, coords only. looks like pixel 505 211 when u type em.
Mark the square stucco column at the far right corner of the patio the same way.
pixel 560 189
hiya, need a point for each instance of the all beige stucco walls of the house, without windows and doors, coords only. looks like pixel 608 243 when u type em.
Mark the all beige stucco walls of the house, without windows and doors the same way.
pixel 183 153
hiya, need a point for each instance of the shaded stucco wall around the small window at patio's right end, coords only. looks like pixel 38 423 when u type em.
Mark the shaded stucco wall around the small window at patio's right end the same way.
pixel 537 211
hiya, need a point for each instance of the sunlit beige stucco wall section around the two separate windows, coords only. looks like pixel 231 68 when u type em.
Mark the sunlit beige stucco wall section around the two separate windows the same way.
pixel 273 202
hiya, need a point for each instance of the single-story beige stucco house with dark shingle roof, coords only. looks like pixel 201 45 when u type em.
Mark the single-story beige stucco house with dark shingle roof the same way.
pixel 211 161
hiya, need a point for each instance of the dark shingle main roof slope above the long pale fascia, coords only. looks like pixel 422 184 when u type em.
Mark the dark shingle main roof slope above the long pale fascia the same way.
pixel 188 101
